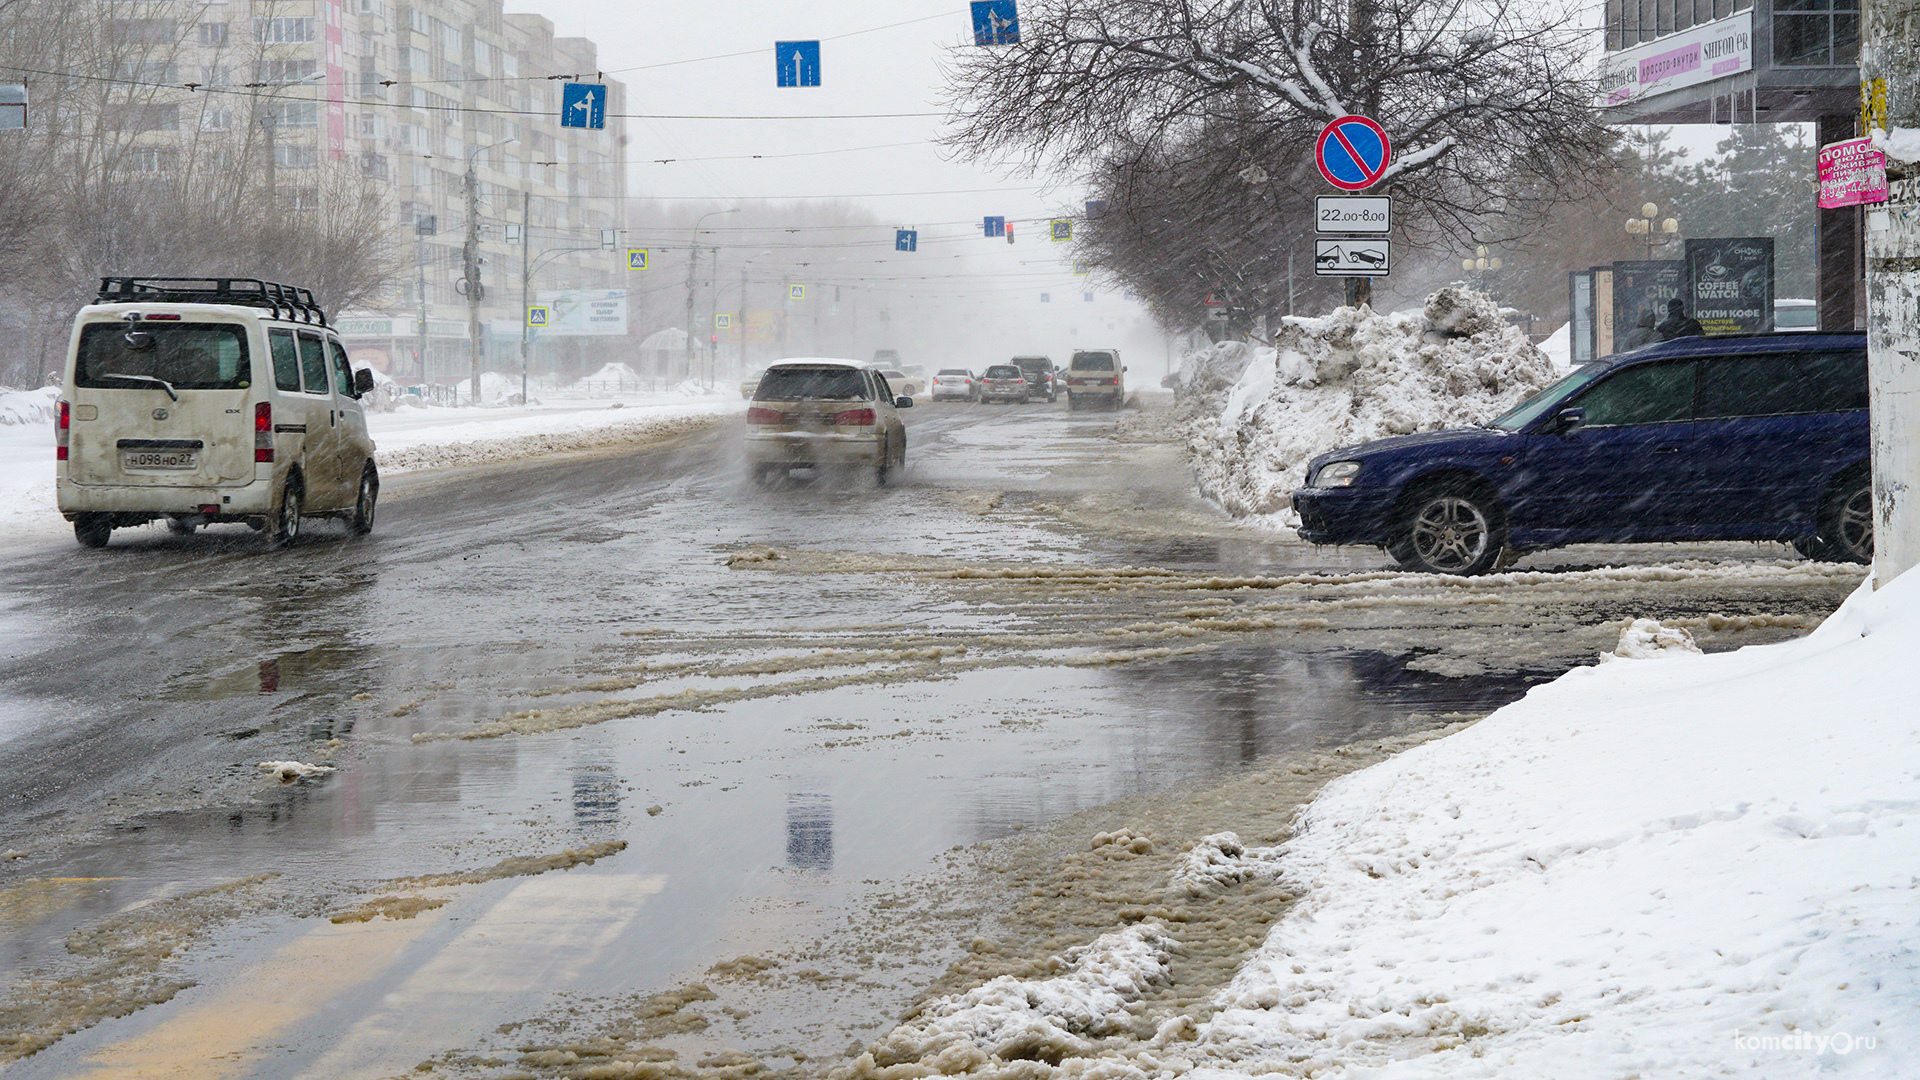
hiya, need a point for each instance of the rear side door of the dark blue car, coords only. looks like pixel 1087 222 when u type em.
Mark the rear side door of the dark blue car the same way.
pixel 1773 430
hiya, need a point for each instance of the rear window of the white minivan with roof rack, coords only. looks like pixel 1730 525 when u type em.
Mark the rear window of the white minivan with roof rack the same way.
pixel 187 356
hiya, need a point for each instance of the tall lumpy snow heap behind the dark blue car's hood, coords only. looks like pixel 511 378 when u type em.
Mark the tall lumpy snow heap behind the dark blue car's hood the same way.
pixel 1347 380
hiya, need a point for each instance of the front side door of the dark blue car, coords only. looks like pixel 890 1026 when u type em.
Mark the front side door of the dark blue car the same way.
pixel 1627 470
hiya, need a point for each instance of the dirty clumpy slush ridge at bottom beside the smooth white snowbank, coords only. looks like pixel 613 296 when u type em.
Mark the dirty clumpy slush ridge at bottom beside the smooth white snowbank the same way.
pixel 1015 1019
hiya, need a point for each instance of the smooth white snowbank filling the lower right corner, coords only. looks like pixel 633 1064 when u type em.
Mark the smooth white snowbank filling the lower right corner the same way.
pixel 1643 870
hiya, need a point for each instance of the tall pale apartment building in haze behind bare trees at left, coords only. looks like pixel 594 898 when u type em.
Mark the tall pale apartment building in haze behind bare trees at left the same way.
pixel 412 95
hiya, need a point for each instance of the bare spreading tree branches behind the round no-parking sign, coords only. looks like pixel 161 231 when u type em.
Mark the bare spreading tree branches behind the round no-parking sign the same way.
pixel 1487 105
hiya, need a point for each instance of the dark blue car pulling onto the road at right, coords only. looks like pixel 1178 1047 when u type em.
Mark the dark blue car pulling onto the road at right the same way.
pixel 1696 439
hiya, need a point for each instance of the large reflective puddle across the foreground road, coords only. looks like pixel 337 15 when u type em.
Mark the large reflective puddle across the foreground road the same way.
pixel 775 816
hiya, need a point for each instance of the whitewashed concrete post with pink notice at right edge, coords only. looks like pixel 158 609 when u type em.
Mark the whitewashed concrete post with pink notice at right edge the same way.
pixel 1890 51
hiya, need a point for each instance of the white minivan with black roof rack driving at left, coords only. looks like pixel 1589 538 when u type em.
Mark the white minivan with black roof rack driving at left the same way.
pixel 206 401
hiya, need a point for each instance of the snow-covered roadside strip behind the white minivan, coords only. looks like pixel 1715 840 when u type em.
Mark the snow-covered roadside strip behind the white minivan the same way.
pixel 406 439
